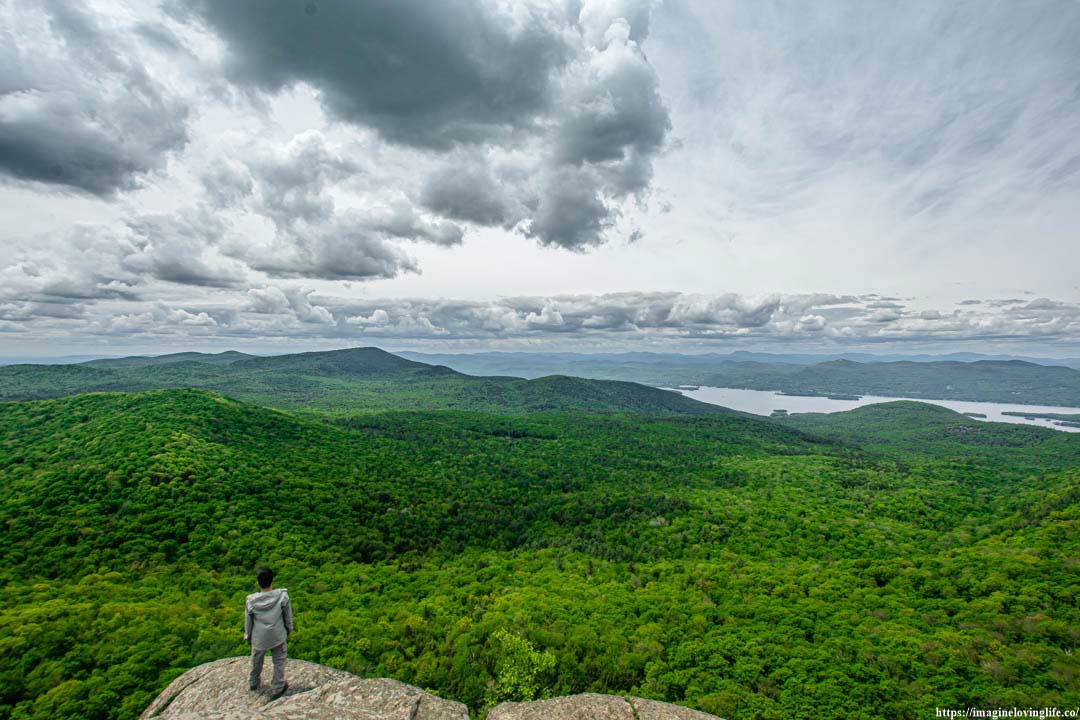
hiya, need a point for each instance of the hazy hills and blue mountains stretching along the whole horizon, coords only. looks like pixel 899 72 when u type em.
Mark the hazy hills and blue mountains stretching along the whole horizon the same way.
pixel 372 379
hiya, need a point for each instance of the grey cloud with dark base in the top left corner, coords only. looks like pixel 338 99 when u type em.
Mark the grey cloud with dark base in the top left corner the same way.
pixel 77 106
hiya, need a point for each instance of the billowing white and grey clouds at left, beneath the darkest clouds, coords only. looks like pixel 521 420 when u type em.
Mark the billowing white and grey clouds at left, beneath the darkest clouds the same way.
pixel 271 210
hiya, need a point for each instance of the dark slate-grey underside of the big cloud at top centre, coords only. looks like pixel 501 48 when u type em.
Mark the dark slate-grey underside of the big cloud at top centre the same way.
pixel 426 74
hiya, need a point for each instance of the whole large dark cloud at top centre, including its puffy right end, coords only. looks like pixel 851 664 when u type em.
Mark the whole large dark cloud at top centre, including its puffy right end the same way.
pixel 566 85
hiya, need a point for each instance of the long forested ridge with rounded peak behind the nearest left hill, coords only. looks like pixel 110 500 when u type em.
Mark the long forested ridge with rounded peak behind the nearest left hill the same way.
pixel 341 382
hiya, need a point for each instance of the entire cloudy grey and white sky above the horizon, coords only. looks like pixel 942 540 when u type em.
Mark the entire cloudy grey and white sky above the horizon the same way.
pixel 587 175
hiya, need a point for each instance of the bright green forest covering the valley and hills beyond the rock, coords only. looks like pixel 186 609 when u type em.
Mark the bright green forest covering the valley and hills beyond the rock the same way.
pixel 485 547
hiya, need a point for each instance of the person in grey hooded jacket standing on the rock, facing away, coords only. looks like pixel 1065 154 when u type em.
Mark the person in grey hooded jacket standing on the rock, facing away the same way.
pixel 268 622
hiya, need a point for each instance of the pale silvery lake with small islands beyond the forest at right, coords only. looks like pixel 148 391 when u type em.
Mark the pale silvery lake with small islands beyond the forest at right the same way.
pixel 762 402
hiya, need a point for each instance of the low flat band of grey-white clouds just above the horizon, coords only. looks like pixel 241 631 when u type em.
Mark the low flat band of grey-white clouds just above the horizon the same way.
pixel 274 315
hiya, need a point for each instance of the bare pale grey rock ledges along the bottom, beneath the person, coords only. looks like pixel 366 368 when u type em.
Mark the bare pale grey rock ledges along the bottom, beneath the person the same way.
pixel 219 691
